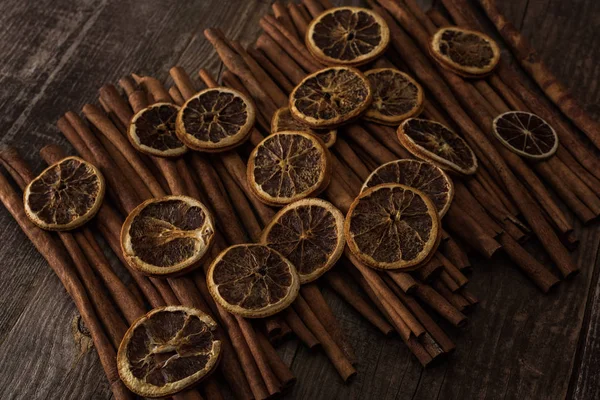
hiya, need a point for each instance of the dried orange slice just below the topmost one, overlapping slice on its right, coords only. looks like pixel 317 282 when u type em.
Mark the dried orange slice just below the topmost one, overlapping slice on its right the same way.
pixel 330 97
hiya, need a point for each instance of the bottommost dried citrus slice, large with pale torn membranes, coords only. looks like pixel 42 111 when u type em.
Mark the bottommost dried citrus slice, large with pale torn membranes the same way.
pixel 168 350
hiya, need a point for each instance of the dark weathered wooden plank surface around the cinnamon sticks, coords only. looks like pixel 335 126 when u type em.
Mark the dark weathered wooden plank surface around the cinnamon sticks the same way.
pixel 55 54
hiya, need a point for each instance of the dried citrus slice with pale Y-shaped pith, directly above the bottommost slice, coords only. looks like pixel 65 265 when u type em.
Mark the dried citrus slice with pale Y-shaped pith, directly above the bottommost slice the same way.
pixel 167 236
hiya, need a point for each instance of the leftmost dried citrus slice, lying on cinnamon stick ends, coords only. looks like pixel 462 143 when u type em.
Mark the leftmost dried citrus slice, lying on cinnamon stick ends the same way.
pixel 65 195
